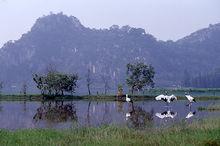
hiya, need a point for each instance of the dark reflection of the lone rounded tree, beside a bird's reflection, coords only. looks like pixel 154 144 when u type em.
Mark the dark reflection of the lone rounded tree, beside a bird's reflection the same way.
pixel 139 118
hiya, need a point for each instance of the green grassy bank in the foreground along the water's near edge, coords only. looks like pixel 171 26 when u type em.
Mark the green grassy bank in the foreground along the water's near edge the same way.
pixel 198 133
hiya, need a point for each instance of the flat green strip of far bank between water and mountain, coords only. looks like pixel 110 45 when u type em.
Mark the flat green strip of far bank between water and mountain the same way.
pixel 199 93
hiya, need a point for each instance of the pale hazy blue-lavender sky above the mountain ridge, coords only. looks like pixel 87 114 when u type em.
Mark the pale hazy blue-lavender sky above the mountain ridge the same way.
pixel 165 19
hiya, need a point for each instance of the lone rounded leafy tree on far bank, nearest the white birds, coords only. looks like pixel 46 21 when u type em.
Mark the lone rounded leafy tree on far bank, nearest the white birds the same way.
pixel 139 75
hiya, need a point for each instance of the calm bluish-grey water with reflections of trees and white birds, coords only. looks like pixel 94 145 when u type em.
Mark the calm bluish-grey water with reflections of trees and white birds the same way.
pixel 67 114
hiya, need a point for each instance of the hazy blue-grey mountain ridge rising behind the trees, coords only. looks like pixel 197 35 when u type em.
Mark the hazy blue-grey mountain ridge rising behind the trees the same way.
pixel 63 42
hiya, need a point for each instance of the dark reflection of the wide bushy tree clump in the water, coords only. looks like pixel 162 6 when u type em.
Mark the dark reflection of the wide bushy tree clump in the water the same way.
pixel 56 112
